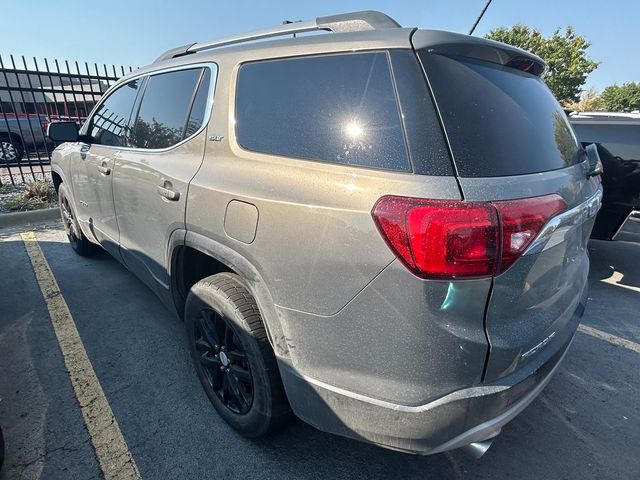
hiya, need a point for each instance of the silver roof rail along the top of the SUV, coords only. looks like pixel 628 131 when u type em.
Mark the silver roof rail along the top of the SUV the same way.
pixel 346 22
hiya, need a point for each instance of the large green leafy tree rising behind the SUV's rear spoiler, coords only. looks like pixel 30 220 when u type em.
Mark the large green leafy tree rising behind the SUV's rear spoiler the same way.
pixel 565 53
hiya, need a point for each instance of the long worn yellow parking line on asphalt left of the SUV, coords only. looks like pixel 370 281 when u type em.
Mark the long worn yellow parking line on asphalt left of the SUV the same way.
pixel 110 446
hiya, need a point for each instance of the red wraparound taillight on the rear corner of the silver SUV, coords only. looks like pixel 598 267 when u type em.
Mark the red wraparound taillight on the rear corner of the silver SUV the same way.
pixel 450 239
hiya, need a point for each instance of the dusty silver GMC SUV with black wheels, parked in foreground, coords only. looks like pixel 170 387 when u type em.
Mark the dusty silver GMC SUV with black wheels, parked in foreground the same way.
pixel 382 229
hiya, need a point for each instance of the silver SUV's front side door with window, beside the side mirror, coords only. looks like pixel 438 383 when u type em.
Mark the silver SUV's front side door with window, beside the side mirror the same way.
pixel 93 164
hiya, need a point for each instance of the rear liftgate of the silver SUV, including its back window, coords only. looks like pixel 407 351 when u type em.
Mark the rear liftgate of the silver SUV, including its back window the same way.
pixel 510 139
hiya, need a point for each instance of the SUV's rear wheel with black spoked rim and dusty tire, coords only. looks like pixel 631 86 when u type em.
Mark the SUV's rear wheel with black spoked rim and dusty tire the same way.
pixel 232 356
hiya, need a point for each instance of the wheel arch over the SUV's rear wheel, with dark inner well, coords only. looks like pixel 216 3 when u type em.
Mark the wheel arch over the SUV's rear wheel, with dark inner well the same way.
pixel 222 259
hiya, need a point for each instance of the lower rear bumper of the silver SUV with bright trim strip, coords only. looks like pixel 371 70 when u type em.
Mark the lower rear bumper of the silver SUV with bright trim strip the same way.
pixel 462 417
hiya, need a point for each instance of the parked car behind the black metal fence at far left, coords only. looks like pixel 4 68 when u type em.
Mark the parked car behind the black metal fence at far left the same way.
pixel 20 133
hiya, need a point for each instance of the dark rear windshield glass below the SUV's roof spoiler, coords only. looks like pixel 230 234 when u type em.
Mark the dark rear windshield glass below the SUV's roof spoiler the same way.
pixel 499 121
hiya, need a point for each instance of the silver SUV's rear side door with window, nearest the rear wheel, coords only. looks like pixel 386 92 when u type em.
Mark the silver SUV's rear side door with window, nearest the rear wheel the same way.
pixel 151 178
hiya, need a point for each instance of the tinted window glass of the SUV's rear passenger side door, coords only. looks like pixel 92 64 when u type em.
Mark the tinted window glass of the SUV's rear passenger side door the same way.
pixel 163 112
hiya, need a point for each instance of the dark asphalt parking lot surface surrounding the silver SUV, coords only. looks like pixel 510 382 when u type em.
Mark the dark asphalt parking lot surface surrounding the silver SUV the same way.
pixel 586 423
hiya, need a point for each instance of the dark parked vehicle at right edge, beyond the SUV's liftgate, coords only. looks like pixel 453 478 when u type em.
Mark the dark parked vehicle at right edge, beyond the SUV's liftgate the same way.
pixel 617 136
